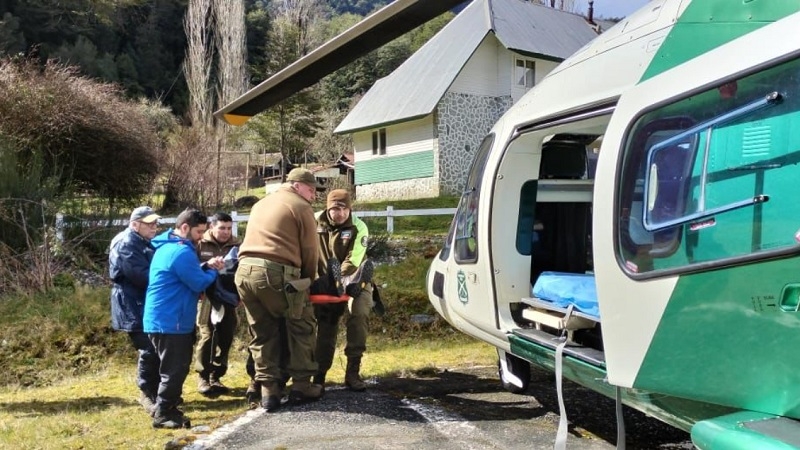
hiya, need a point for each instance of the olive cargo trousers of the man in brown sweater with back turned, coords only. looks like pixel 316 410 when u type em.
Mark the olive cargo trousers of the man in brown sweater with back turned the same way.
pixel 261 286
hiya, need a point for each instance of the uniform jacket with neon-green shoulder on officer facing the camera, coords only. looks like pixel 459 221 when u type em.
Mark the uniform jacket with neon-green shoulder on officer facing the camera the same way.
pixel 347 242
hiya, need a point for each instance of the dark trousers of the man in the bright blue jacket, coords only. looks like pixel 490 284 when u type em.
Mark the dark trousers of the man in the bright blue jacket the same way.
pixel 175 352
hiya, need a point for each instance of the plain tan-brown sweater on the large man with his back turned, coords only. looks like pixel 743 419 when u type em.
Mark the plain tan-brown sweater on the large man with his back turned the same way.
pixel 282 229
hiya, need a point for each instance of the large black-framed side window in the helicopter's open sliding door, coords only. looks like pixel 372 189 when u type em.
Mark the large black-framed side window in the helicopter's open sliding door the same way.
pixel 709 177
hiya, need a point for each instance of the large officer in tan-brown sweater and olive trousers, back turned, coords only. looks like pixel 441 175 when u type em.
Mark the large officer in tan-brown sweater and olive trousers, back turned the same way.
pixel 277 261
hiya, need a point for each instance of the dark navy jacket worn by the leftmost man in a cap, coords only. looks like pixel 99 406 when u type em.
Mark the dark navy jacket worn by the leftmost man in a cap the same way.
pixel 128 266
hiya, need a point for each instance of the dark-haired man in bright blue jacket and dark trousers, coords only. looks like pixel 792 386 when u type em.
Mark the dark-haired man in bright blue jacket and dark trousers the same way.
pixel 170 308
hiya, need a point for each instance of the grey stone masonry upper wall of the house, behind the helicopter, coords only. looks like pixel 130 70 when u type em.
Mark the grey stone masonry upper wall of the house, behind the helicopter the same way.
pixel 463 122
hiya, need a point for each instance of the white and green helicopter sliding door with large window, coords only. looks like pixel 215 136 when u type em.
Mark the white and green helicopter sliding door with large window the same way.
pixel 697 232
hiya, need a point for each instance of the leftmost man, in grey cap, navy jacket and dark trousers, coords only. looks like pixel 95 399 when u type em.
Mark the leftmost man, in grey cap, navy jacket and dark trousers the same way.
pixel 129 259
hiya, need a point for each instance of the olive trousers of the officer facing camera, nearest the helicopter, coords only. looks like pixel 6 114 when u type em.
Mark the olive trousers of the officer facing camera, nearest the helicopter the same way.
pixel 357 328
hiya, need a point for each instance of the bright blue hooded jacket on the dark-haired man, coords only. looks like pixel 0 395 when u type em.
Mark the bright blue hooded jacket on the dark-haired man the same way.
pixel 176 281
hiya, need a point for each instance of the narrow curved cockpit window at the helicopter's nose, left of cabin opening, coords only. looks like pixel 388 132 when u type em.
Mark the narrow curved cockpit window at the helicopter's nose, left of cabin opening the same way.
pixel 465 222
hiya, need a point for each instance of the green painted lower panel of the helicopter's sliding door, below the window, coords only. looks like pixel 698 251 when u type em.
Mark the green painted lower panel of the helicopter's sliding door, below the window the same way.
pixel 724 339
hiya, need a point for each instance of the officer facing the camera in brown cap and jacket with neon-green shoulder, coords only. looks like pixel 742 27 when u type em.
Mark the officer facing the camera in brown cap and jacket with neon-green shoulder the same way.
pixel 344 237
